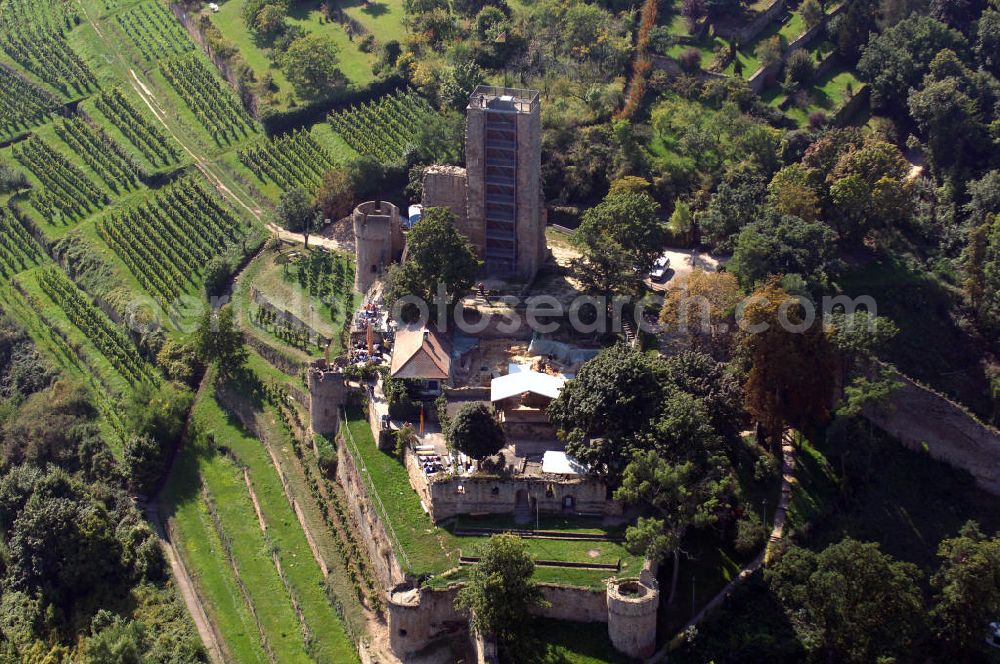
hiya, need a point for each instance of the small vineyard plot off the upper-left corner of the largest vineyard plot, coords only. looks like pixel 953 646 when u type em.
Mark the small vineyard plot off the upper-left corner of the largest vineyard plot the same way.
pixel 67 193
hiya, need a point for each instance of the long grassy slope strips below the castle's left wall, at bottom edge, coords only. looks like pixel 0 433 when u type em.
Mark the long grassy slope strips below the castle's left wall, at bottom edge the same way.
pixel 218 453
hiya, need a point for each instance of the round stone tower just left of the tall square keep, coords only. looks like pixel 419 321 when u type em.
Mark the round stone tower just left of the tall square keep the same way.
pixel 378 241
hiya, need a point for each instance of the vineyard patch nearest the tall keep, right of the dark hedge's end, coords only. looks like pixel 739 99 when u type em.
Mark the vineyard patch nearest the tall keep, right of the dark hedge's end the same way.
pixel 385 128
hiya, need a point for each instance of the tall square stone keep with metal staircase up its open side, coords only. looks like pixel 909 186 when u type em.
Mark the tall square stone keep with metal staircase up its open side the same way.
pixel 503 161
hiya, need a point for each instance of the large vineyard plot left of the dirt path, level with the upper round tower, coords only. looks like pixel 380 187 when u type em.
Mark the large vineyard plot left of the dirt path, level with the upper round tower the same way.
pixel 166 242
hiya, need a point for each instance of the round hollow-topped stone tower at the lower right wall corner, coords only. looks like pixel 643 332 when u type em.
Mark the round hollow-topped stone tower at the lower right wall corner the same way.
pixel 632 605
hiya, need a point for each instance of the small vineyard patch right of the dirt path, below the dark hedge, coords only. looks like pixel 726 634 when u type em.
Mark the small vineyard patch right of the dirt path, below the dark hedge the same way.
pixel 289 161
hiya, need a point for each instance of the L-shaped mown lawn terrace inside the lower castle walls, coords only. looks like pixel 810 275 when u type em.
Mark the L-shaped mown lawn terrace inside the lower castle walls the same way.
pixel 430 549
